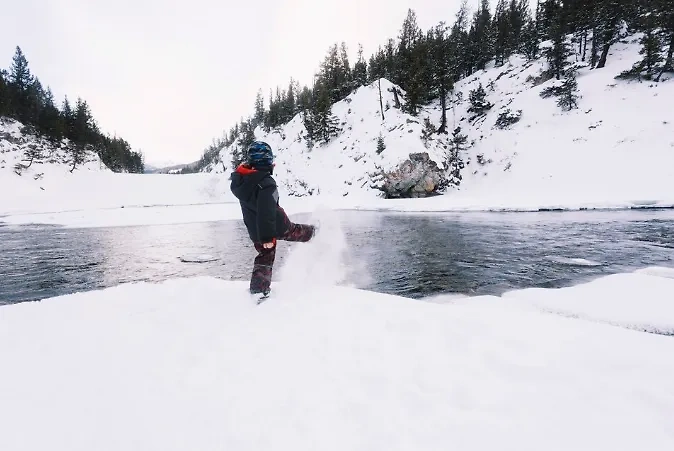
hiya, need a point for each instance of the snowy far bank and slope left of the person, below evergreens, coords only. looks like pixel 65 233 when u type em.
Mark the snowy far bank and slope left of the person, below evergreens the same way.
pixel 48 186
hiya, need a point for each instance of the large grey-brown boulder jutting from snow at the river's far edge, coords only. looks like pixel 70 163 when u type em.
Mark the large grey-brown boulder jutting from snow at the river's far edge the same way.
pixel 418 176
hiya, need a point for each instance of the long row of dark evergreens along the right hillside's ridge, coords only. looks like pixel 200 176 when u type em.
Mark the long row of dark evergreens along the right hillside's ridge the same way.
pixel 428 64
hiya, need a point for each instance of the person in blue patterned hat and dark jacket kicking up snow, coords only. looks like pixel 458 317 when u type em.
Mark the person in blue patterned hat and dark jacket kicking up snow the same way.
pixel 254 186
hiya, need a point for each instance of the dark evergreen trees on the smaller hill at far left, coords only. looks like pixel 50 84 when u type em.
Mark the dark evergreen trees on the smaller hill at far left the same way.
pixel 24 98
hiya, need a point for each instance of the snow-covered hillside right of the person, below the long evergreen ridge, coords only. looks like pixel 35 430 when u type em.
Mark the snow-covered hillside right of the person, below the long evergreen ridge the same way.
pixel 616 150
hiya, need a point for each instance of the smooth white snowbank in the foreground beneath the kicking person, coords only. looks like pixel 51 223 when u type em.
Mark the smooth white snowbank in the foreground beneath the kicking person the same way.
pixel 194 364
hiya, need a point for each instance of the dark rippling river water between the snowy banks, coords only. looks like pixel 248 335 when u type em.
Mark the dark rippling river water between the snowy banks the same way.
pixel 413 255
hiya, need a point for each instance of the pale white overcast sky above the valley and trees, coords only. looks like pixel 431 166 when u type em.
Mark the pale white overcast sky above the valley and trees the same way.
pixel 169 76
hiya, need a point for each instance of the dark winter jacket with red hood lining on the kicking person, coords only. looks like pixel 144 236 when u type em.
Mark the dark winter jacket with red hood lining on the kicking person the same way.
pixel 258 196
